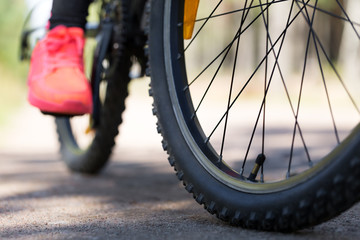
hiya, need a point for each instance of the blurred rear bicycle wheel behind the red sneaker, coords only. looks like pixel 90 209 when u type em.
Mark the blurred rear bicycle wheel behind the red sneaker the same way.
pixel 86 148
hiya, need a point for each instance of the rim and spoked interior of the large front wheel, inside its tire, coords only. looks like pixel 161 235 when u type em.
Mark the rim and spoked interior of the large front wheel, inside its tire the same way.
pixel 195 93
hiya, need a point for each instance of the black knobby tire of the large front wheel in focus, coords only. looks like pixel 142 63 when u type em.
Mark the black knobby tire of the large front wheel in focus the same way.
pixel 312 196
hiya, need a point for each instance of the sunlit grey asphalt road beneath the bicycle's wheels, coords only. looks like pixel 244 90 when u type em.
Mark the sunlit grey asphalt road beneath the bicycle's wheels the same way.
pixel 137 196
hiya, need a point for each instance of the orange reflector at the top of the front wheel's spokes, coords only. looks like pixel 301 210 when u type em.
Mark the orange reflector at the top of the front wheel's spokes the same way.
pixel 190 11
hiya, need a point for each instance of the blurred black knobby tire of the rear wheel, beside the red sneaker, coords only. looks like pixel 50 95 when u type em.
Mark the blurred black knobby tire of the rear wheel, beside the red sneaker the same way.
pixel 91 157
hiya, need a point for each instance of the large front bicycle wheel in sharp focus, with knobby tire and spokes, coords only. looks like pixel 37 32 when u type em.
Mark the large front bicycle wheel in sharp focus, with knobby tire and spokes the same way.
pixel 259 109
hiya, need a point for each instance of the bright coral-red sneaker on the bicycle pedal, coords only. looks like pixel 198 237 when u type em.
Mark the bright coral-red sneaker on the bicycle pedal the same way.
pixel 57 83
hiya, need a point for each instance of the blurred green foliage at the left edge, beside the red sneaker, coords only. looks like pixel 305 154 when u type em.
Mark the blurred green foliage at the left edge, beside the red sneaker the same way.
pixel 12 71
